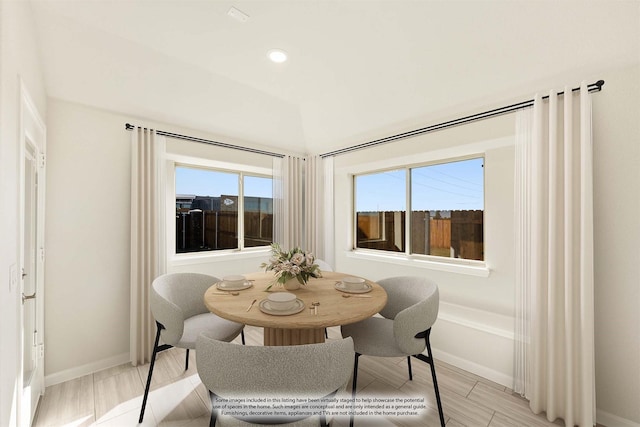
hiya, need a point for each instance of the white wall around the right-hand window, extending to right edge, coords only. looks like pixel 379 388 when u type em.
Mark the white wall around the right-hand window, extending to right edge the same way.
pixel 475 326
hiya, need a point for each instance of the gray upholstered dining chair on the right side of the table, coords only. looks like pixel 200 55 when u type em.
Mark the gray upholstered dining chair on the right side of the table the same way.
pixel 404 328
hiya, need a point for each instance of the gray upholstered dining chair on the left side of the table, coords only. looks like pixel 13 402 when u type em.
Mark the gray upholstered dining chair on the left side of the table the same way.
pixel 177 304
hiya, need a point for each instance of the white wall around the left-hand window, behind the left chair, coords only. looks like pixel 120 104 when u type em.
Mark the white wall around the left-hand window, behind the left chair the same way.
pixel 88 241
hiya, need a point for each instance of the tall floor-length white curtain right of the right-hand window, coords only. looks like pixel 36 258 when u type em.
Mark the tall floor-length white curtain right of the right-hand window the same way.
pixel 554 365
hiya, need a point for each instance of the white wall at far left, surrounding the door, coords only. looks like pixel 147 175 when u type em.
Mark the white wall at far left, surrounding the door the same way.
pixel 18 61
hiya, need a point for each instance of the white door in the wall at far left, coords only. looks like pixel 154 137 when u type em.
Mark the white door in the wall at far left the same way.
pixel 31 261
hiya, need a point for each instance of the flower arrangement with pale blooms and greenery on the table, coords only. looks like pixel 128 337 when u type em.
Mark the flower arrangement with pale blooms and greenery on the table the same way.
pixel 291 264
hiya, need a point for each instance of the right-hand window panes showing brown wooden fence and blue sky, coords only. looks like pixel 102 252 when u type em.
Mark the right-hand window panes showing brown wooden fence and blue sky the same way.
pixel 446 204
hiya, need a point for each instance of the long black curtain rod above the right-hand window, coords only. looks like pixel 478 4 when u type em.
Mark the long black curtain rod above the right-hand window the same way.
pixel 593 87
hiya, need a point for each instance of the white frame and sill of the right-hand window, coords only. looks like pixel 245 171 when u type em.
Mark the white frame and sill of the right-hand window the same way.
pixel 432 261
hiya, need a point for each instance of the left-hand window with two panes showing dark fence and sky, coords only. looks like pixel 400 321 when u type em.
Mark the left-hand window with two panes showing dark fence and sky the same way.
pixel 209 208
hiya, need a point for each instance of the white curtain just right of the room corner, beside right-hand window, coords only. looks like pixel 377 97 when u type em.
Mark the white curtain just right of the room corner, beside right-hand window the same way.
pixel 319 207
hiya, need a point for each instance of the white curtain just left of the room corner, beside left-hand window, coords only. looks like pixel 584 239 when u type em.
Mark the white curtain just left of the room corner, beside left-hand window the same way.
pixel 288 199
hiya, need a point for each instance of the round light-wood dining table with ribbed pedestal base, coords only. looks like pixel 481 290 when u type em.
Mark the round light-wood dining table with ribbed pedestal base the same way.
pixel 306 326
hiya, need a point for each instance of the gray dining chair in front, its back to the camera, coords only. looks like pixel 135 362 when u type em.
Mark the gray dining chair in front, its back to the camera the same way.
pixel 311 371
